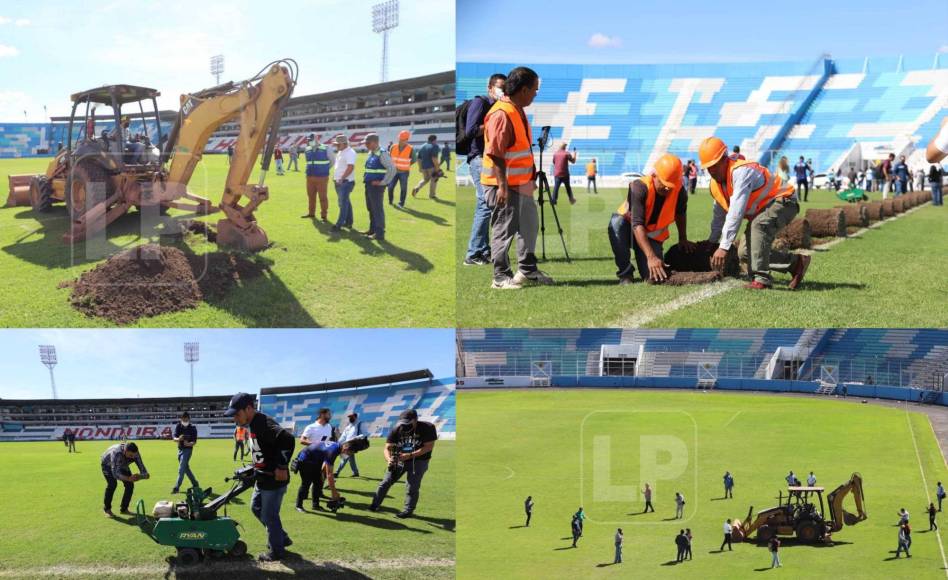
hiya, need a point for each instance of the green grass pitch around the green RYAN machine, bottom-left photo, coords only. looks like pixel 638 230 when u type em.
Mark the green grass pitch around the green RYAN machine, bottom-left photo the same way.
pixel 55 500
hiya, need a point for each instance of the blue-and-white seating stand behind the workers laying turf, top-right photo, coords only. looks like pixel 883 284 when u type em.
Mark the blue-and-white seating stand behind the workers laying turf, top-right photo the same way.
pixel 832 111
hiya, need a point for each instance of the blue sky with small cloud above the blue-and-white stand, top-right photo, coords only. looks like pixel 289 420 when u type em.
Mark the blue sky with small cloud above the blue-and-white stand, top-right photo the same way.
pixel 620 31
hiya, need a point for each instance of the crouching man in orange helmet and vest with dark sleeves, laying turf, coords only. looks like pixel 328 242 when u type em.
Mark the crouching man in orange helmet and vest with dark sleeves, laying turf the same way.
pixel 642 221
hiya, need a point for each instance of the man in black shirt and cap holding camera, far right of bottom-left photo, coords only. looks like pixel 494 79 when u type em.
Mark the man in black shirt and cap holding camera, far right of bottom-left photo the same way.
pixel 407 451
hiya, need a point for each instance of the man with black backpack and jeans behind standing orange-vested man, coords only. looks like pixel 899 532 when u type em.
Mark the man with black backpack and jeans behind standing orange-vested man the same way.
pixel 469 123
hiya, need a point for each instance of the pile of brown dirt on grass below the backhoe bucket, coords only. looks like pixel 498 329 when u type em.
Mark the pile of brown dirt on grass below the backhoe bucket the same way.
pixel 150 280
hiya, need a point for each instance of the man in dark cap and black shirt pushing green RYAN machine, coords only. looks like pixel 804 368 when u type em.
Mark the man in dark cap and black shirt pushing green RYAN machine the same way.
pixel 271 447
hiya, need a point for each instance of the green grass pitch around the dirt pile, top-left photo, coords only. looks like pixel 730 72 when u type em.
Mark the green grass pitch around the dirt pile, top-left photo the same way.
pixel 315 279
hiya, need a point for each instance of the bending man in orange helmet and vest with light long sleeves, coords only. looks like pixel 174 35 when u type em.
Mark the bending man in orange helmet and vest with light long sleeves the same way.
pixel 745 189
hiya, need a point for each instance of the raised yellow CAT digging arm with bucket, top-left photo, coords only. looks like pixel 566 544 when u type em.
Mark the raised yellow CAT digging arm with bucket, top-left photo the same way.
pixel 257 105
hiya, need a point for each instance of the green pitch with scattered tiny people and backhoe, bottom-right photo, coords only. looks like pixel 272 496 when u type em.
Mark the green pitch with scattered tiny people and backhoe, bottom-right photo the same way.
pixel 568 448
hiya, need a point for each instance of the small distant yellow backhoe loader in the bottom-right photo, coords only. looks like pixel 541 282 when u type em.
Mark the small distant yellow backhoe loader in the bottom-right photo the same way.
pixel 800 515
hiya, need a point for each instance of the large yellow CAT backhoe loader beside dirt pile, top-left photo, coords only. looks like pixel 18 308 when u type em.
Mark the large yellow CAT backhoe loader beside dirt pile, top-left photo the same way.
pixel 100 177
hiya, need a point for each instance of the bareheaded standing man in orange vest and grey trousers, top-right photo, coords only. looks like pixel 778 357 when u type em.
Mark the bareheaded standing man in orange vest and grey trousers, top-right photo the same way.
pixel 509 179
